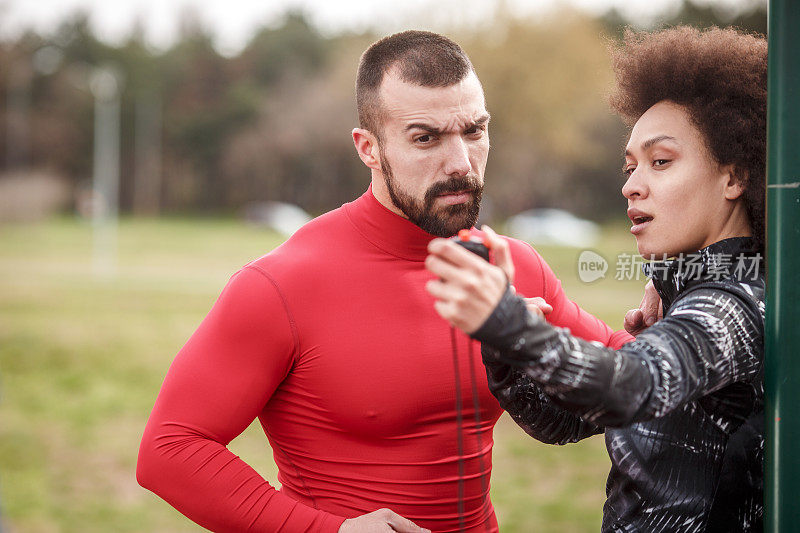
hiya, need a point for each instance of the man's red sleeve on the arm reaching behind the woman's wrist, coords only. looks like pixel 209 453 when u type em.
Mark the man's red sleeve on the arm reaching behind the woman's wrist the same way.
pixel 566 313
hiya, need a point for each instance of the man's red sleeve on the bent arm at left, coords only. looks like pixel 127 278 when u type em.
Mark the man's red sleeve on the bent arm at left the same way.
pixel 218 383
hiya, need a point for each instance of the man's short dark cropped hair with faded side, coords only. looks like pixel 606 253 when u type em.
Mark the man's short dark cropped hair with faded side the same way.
pixel 421 57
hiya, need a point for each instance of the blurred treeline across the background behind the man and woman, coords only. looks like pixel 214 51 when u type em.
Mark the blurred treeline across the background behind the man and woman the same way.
pixel 273 122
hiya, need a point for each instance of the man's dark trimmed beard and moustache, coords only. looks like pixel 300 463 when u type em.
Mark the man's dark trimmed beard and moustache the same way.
pixel 443 221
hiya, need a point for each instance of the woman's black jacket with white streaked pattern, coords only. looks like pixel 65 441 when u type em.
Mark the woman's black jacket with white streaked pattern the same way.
pixel 681 406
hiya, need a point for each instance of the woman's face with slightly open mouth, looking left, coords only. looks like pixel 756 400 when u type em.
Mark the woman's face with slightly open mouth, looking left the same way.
pixel 679 198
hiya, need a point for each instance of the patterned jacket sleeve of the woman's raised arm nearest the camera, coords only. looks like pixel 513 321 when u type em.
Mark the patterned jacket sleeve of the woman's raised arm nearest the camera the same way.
pixel 709 339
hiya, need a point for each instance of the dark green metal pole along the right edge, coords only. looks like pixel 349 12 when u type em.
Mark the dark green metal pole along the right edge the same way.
pixel 782 378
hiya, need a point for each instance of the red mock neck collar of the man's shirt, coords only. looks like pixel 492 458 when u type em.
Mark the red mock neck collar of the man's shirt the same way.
pixel 387 230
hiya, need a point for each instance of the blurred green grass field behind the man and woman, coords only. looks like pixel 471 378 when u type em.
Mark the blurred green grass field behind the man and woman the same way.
pixel 82 359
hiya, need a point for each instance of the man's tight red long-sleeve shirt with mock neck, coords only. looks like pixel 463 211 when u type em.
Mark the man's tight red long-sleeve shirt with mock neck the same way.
pixel 332 342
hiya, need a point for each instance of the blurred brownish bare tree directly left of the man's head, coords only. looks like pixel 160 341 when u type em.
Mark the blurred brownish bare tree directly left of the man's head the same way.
pixel 300 148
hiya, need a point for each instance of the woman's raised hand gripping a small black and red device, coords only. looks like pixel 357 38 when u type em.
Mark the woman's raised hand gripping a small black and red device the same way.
pixel 468 288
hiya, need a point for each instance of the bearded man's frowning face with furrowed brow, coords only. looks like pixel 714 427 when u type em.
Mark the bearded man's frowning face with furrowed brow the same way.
pixel 433 150
